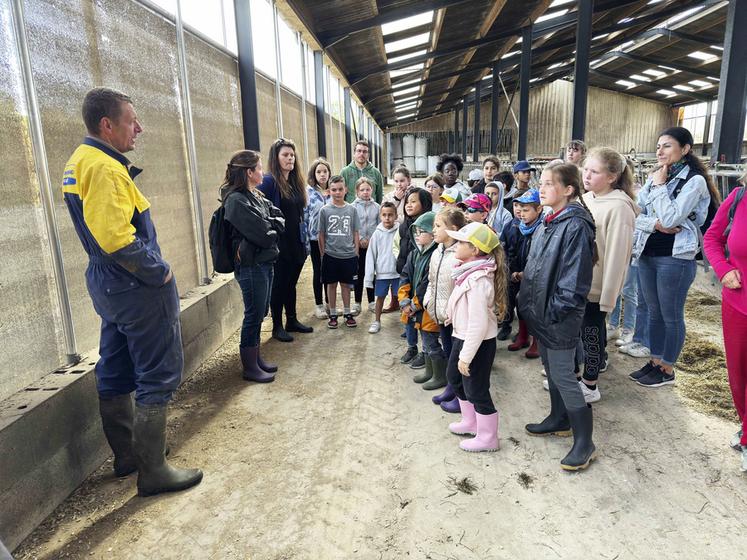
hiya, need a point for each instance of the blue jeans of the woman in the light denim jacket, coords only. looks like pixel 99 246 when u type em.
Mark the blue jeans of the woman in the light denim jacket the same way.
pixel 665 282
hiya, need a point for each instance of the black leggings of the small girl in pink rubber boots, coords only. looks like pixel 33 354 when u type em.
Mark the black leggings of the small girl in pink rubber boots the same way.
pixel 476 387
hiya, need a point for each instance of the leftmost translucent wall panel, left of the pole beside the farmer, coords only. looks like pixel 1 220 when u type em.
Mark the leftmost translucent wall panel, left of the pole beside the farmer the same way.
pixel 32 339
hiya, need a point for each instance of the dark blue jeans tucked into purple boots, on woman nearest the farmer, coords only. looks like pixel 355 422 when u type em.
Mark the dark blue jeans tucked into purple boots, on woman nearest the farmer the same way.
pixel 256 286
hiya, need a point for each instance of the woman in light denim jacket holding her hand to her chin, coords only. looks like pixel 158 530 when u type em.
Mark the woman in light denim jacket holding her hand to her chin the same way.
pixel 675 203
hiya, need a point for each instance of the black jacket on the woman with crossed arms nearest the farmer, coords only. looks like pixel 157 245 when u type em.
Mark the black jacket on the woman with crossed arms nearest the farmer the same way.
pixel 256 224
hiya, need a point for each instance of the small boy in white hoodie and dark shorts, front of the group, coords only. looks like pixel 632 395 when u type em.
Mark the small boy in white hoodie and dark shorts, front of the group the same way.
pixel 381 264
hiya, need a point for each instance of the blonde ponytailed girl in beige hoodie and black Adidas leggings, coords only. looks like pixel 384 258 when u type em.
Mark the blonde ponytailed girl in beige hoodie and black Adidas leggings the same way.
pixel 608 180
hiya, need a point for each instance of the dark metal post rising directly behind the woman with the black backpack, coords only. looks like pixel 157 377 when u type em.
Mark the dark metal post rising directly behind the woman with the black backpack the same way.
pixel 247 77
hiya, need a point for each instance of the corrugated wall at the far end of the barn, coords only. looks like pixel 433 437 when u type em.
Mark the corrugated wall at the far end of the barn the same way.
pixel 614 119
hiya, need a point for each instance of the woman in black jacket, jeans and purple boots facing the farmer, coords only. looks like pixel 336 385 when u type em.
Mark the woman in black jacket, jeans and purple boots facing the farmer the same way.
pixel 255 226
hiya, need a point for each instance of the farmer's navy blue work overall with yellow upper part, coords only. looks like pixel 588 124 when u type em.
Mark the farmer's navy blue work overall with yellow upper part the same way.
pixel 140 348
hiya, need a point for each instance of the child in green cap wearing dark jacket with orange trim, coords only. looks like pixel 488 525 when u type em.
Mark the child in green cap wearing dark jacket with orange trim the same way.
pixel 413 283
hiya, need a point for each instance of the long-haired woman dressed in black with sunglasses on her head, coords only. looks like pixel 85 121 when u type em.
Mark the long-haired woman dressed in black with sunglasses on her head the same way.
pixel 284 186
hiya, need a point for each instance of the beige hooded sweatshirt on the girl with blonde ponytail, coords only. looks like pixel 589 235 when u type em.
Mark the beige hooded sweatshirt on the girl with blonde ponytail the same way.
pixel 614 216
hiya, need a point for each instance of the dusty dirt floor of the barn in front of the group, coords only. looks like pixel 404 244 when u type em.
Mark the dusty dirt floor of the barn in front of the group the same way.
pixel 344 457
